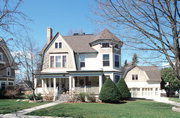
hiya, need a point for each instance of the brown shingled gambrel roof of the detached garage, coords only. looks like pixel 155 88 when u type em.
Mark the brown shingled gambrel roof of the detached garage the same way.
pixel 152 72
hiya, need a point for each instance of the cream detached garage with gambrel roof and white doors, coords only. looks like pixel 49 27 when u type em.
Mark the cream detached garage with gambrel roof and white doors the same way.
pixel 143 81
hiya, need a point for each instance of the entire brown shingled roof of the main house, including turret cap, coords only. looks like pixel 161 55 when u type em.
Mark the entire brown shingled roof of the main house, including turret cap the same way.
pixel 81 43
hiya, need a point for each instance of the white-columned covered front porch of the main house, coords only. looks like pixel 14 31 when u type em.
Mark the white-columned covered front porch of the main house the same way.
pixel 73 83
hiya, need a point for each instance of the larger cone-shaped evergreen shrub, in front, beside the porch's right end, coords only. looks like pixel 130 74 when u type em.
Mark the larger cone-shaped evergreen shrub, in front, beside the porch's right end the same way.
pixel 109 92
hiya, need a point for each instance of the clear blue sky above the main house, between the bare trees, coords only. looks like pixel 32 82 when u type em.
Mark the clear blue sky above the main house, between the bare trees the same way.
pixel 63 16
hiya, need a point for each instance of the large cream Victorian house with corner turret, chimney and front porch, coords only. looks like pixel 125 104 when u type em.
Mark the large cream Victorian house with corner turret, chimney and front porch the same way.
pixel 79 63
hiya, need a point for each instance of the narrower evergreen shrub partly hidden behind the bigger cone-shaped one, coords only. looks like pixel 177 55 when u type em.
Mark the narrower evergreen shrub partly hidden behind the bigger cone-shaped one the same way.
pixel 123 89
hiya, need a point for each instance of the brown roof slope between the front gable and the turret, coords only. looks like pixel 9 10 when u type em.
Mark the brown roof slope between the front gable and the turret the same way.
pixel 80 43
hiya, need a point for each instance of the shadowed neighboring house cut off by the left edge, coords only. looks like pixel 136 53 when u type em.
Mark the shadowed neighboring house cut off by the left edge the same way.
pixel 7 66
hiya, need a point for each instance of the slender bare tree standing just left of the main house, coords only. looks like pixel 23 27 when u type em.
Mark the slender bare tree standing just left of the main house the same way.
pixel 29 60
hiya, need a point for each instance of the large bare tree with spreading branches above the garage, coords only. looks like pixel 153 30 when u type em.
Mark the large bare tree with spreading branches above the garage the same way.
pixel 150 25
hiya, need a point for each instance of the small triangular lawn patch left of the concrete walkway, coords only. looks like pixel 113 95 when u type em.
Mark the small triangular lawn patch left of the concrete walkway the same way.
pixel 10 105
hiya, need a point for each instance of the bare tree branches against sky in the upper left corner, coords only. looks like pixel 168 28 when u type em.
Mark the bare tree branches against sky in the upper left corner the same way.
pixel 11 17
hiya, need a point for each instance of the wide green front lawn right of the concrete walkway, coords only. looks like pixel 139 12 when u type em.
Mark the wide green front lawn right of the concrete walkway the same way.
pixel 131 109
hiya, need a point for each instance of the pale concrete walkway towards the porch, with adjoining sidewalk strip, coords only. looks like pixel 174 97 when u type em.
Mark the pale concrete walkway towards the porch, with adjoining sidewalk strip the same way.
pixel 21 114
